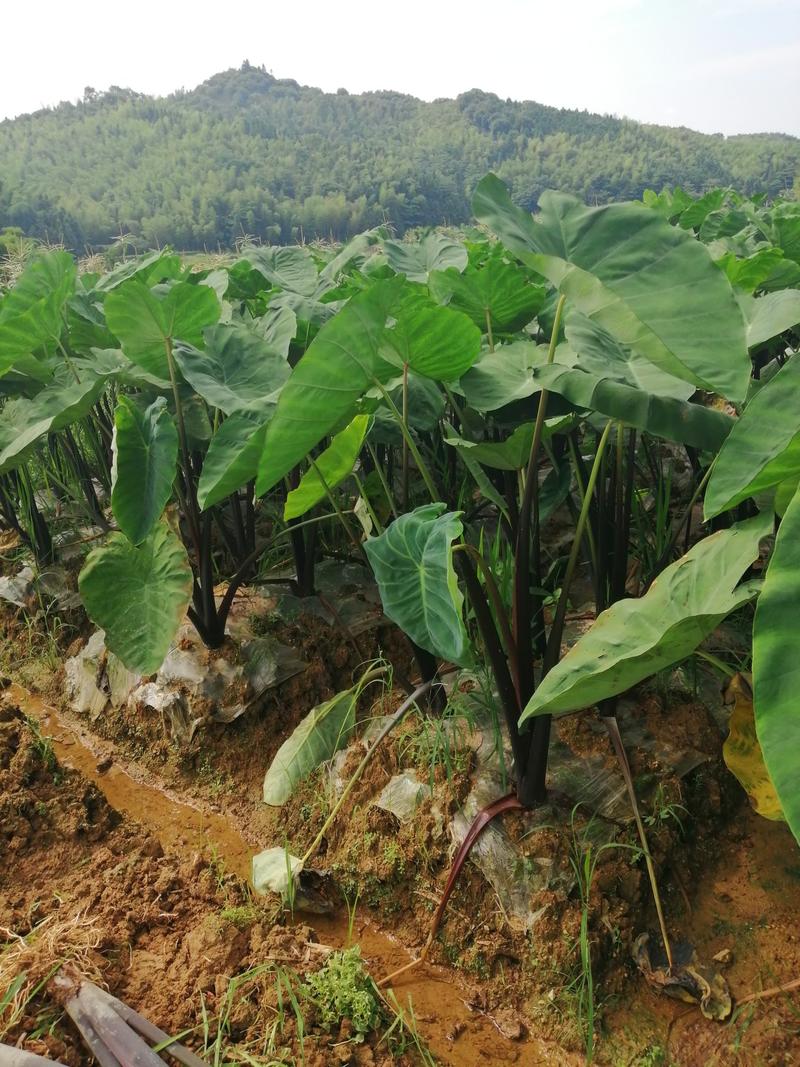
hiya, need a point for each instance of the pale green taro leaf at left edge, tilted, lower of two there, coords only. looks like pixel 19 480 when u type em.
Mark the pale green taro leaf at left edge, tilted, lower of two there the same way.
pixel 52 410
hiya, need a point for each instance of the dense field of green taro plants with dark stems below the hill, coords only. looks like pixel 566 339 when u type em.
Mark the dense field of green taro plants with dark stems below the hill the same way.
pixel 433 408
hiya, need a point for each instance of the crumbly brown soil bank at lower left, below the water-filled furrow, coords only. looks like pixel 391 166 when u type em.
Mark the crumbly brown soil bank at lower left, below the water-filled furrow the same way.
pixel 178 938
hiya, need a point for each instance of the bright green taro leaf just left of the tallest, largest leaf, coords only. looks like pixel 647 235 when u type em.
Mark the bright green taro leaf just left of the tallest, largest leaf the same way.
pixel 499 292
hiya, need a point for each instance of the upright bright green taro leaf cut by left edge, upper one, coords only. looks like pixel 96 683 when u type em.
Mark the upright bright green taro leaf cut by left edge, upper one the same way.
pixel 31 312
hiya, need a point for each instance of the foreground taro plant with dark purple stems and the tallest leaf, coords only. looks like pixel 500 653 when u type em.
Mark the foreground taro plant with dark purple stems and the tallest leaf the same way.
pixel 594 332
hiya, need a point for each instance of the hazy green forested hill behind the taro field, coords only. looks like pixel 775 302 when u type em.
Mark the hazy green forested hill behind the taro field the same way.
pixel 248 154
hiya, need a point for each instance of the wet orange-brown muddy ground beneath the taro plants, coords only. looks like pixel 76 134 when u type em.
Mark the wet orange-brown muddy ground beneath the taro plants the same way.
pixel 493 993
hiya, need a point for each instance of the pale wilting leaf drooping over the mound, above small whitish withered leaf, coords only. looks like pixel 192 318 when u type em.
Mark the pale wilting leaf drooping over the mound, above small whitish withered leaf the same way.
pixel 325 730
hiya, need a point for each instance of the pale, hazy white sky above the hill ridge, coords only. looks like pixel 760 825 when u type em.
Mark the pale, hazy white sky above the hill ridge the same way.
pixel 729 67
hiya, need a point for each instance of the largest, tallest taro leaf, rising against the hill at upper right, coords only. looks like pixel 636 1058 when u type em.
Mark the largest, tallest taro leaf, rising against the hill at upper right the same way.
pixel 652 286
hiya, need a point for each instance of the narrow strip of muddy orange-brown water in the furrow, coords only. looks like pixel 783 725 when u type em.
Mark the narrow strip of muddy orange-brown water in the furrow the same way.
pixel 456 1033
